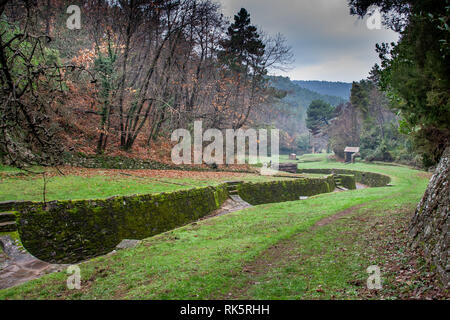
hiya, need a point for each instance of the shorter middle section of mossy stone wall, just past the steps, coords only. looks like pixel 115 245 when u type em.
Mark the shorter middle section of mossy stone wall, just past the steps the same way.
pixel 287 190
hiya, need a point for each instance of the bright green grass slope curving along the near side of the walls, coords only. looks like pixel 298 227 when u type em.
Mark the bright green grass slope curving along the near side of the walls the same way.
pixel 209 259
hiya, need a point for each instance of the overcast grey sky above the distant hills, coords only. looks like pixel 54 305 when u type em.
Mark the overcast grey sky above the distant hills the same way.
pixel 327 42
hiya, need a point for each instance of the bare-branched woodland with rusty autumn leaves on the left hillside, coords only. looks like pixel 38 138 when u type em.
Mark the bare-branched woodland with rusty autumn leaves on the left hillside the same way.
pixel 136 71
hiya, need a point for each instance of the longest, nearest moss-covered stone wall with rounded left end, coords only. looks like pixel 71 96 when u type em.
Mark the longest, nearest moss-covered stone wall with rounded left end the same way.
pixel 72 231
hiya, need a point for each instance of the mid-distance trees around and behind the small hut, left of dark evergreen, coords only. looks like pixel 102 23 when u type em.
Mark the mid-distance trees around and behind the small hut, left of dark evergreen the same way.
pixel 366 121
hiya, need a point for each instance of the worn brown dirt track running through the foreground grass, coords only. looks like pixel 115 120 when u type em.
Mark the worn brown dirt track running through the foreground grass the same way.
pixel 282 251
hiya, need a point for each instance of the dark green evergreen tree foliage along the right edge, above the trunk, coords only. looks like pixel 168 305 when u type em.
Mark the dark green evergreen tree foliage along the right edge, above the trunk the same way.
pixel 415 72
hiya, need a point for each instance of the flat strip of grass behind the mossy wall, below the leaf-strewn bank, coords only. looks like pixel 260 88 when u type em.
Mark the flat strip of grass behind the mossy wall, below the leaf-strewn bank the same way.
pixel 14 186
